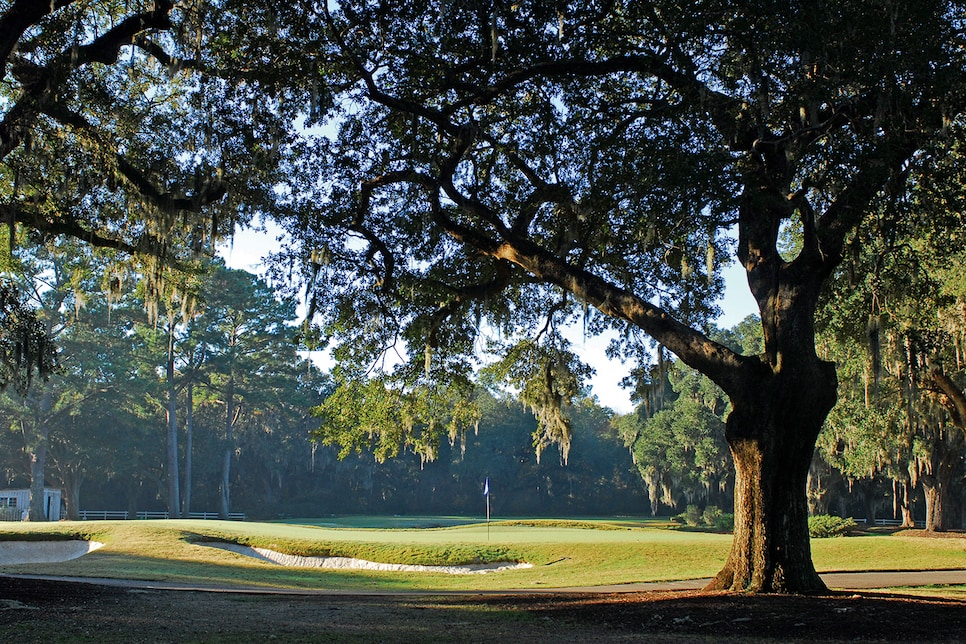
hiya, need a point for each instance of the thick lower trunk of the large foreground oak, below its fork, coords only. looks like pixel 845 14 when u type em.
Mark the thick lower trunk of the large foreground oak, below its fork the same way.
pixel 772 433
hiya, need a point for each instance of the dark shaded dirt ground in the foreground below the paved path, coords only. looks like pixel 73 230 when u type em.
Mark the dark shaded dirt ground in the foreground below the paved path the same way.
pixel 58 611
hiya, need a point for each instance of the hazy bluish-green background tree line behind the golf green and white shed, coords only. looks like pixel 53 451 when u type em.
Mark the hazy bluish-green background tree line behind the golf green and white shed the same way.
pixel 206 404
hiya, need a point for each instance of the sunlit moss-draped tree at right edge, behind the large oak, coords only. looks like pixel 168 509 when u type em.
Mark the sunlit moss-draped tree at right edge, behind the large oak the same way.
pixel 898 328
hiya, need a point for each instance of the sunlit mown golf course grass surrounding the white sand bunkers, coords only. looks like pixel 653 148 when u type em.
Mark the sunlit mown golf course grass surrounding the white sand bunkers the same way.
pixel 564 554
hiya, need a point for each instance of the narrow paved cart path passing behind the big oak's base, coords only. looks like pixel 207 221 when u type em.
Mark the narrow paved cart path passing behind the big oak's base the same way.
pixel 834 580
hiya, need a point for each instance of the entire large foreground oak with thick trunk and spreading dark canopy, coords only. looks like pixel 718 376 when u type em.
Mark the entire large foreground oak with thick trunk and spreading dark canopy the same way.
pixel 508 167
